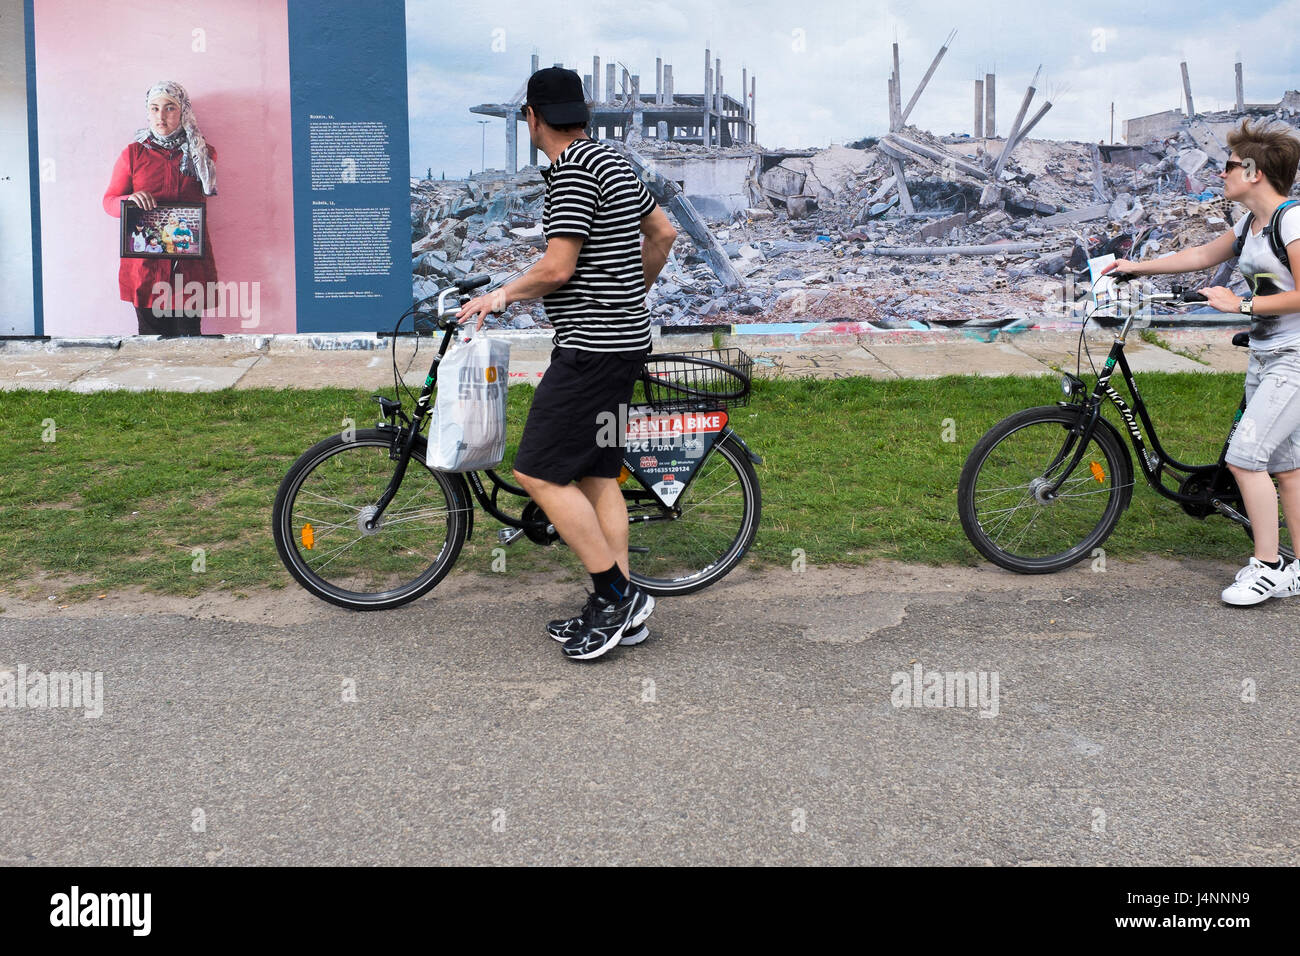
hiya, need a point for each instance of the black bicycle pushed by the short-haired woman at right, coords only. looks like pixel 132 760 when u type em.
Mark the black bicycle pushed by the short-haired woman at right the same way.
pixel 1047 486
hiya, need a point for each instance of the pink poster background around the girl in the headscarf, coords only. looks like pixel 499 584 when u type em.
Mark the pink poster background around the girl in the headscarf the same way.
pixel 94 66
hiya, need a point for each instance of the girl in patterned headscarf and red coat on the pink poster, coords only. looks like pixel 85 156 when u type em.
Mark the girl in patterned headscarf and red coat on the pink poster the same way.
pixel 168 162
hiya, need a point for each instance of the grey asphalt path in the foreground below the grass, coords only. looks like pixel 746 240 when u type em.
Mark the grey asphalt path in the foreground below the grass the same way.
pixel 756 726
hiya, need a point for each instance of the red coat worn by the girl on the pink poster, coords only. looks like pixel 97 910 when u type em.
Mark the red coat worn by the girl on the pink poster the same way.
pixel 157 171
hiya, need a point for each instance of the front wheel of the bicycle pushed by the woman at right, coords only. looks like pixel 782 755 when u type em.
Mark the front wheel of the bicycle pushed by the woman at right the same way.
pixel 1004 500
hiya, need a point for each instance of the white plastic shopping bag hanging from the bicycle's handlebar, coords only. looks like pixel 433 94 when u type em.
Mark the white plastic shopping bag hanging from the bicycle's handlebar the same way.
pixel 469 430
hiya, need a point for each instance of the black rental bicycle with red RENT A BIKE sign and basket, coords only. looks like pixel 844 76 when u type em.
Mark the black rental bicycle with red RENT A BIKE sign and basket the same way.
pixel 363 522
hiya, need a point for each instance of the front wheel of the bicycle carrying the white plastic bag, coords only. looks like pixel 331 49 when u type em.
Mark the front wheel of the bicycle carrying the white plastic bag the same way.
pixel 320 513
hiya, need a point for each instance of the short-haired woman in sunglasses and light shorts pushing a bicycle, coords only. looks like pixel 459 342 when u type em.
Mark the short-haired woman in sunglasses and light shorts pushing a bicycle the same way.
pixel 1260 175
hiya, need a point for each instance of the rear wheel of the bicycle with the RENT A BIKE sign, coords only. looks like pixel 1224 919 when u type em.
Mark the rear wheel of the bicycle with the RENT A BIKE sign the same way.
pixel 679 552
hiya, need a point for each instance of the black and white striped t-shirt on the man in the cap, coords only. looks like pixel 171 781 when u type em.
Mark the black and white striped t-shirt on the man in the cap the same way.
pixel 592 193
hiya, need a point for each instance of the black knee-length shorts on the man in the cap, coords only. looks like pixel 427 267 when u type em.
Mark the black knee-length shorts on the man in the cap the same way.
pixel 575 427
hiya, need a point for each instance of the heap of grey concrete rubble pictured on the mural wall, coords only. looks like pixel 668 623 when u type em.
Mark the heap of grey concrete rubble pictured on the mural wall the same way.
pixel 831 239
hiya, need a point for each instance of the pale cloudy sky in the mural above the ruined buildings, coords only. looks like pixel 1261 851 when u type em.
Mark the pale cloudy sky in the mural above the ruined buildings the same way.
pixel 831 89
